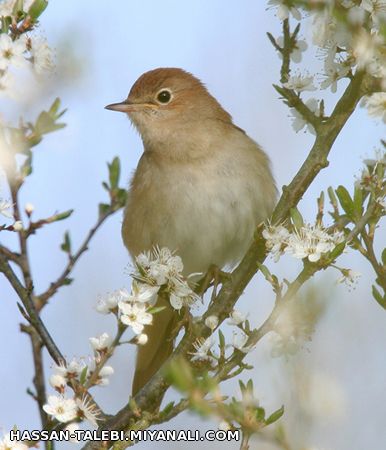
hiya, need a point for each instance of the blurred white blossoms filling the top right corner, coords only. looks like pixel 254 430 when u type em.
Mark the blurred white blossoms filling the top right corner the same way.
pixel 348 40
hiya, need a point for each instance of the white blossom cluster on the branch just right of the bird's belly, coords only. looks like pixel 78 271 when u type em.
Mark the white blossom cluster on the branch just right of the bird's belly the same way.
pixel 308 241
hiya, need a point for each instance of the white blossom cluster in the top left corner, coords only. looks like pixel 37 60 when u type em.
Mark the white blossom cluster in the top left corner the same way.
pixel 26 50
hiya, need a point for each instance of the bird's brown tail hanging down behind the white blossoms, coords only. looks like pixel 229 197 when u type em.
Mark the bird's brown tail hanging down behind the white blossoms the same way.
pixel 158 348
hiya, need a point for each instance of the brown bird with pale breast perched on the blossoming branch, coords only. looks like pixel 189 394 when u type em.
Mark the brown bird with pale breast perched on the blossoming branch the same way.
pixel 201 188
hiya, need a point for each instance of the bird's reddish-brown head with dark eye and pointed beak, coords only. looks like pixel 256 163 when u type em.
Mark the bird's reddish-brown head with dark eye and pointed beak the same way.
pixel 166 102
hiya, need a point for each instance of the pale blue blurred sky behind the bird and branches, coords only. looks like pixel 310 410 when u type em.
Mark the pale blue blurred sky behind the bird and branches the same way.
pixel 334 388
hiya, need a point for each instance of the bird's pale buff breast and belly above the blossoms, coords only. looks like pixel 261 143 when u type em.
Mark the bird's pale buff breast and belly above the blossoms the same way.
pixel 206 211
